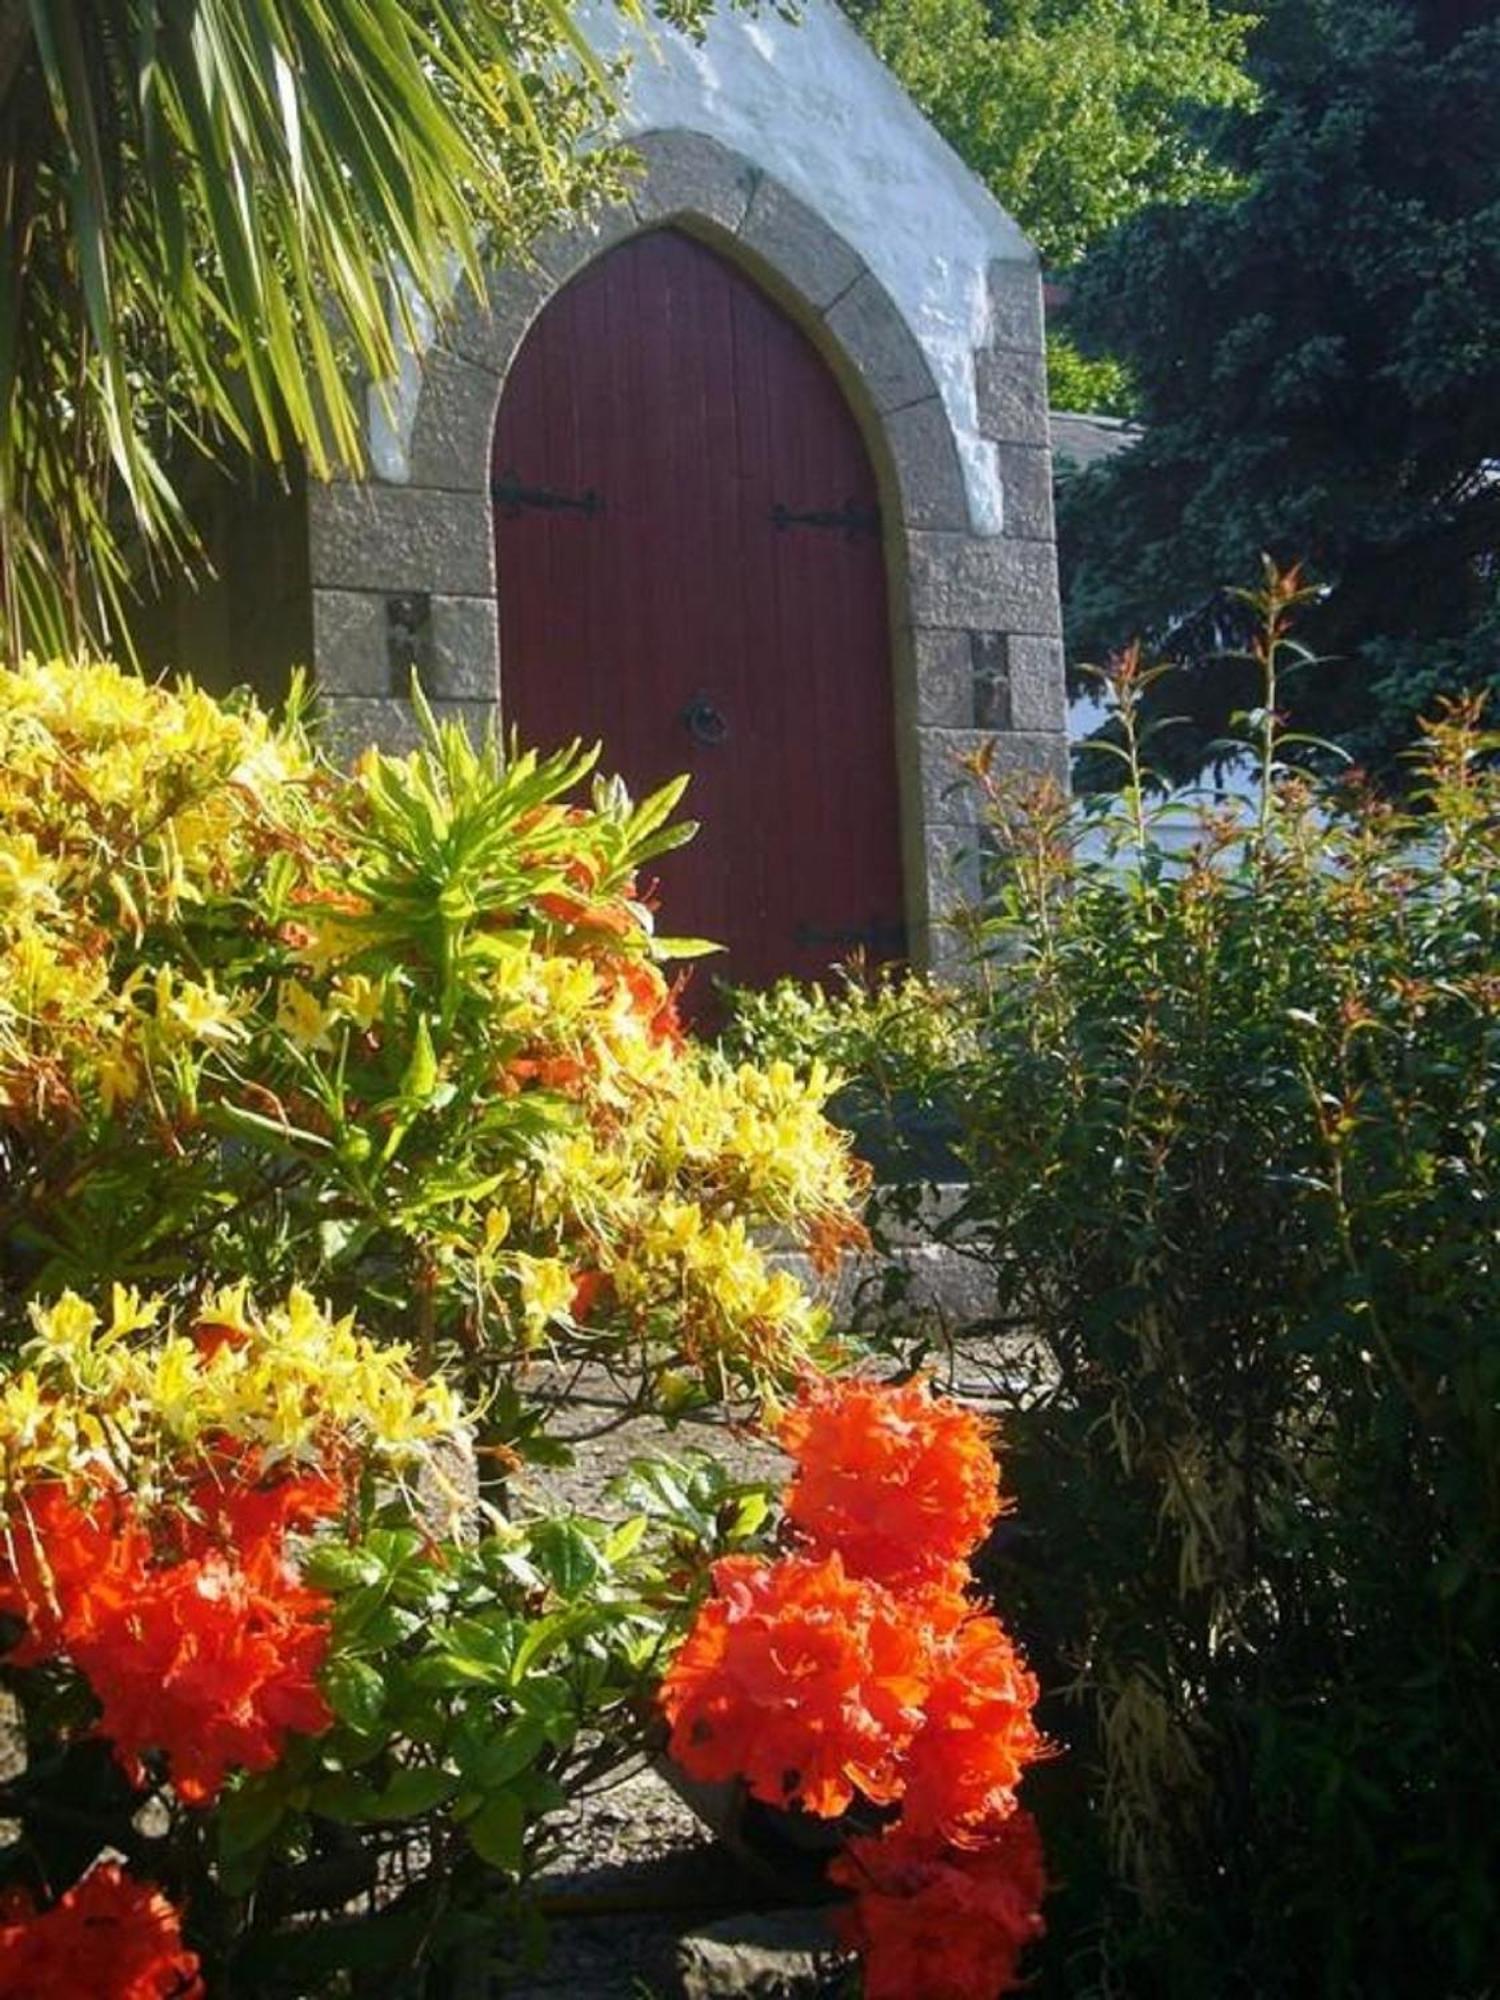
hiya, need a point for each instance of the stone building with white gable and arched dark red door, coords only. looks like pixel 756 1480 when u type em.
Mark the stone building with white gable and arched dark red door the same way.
pixel 751 479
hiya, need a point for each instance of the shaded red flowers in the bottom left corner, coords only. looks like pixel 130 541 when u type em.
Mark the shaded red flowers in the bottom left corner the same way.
pixel 109 1937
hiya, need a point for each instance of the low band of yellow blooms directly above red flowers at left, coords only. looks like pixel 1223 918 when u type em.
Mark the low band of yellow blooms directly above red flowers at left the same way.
pixel 101 1399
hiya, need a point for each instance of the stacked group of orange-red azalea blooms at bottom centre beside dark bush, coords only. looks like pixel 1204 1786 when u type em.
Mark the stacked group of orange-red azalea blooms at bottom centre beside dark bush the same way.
pixel 863 1673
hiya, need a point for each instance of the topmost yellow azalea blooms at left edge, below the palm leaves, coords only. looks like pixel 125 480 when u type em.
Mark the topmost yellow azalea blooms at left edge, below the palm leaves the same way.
pixel 121 803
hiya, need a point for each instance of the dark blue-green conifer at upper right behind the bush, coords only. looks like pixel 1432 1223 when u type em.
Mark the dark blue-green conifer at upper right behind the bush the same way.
pixel 1319 375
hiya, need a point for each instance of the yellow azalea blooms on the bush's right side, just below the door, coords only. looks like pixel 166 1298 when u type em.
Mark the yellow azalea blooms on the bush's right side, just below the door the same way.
pixel 671 1171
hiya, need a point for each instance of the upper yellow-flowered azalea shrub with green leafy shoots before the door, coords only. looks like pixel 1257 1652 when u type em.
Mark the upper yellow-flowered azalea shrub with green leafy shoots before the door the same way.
pixel 405 1033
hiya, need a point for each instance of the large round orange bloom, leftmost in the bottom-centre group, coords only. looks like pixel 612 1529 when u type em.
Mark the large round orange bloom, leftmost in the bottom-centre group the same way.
pixel 799 1679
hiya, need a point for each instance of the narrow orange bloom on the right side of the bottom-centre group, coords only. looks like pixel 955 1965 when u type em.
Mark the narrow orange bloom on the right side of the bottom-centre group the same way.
pixel 977 1739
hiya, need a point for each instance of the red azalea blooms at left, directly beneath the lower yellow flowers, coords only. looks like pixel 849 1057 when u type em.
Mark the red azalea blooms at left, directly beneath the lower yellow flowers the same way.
pixel 205 1649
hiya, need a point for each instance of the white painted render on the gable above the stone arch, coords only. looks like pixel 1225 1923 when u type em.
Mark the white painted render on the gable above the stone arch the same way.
pixel 813 105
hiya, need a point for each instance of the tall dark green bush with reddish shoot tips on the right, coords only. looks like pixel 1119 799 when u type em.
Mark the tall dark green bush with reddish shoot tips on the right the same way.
pixel 1235 1163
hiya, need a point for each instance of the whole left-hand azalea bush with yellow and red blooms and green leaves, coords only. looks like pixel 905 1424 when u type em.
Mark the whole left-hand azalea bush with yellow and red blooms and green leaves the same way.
pixel 345 1129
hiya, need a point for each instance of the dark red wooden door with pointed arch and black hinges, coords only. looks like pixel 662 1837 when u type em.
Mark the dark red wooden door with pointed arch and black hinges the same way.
pixel 689 569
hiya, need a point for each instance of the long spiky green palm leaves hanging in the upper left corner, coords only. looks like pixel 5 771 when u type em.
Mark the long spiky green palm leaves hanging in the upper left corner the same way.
pixel 195 197
